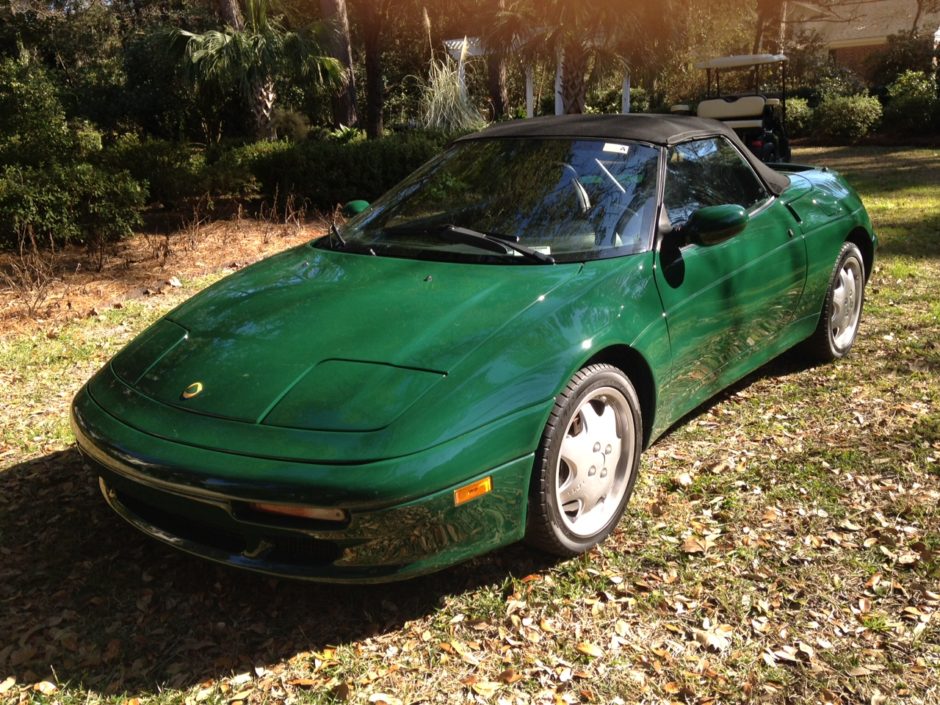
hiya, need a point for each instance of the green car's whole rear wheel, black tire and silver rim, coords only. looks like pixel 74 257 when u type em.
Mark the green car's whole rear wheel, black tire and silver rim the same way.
pixel 838 328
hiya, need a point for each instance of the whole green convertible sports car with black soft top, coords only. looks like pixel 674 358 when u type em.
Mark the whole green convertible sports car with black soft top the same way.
pixel 478 357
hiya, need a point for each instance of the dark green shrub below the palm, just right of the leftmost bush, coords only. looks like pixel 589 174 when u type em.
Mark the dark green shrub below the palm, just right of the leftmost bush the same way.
pixel 173 171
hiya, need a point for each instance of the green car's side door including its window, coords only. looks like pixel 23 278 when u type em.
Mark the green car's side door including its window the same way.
pixel 726 303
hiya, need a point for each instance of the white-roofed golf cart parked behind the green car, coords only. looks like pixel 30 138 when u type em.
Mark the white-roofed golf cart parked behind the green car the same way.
pixel 759 119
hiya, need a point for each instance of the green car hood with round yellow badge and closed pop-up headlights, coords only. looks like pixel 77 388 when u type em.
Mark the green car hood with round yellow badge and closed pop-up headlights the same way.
pixel 325 340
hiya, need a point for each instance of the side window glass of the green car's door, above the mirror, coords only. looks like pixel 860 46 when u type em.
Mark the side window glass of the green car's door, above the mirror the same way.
pixel 708 172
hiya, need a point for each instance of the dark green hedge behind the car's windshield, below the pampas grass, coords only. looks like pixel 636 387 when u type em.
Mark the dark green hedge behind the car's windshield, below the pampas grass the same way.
pixel 325 173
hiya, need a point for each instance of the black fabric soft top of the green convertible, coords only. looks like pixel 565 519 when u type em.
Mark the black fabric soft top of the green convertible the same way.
pixel 665 130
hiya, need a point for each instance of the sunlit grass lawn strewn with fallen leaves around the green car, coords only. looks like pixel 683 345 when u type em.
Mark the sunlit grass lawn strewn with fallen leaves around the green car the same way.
pixel 781 547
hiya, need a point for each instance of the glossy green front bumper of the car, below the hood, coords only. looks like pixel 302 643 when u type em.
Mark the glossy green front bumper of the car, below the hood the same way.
pixel 209 515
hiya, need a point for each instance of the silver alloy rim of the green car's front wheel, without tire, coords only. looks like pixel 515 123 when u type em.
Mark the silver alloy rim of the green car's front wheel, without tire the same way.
pixel 595 461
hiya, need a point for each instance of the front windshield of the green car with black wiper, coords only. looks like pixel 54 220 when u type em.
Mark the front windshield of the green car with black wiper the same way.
pixel 515 201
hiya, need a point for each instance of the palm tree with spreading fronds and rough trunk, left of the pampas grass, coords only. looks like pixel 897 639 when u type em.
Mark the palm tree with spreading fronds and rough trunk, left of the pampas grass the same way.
pixel 253 56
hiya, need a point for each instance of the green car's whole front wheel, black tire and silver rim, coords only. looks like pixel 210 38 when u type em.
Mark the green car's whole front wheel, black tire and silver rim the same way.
pixel 581 415
